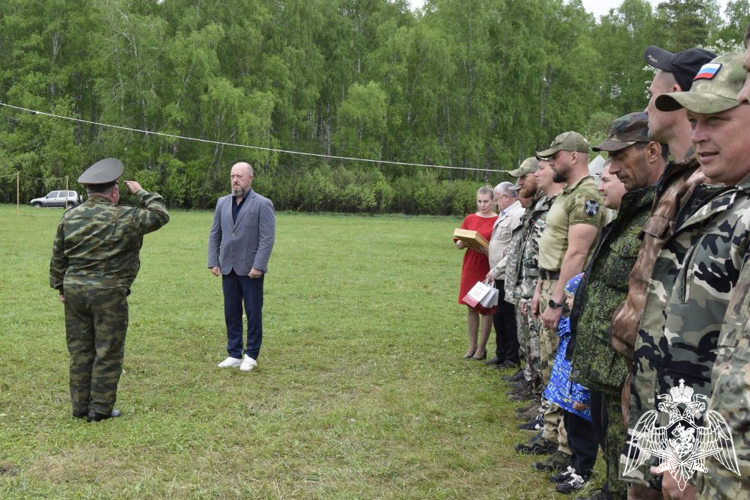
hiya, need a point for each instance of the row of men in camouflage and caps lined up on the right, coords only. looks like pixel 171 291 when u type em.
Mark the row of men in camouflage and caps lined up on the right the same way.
pixel 666 293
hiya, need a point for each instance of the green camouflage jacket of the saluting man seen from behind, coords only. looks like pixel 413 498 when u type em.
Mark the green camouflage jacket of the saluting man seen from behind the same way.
pixel 98 243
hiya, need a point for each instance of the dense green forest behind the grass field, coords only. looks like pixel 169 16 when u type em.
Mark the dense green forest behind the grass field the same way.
pixel 478 84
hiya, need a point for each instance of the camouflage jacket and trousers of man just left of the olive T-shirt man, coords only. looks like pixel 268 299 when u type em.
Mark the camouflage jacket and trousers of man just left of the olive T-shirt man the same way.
pixel 522 286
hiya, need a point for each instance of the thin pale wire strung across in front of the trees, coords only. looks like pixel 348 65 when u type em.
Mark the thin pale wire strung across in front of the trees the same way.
pixel 259 148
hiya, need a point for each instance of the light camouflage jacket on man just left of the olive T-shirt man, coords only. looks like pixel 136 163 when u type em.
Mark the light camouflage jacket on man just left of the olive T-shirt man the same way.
pixel 527 269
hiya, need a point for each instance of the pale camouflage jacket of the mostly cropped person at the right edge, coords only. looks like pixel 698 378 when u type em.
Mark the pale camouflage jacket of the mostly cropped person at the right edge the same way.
pixel 731 396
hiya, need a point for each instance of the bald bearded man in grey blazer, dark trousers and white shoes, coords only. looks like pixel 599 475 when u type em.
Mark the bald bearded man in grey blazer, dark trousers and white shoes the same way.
pixel 239 246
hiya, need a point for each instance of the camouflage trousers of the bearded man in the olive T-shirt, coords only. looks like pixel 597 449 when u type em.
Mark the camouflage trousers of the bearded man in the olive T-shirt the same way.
pixel 554 427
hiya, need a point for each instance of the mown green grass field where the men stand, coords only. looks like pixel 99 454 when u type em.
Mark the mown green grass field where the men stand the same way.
pixel 361 390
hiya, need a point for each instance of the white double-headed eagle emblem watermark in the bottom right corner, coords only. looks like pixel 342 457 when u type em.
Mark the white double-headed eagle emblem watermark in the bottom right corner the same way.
pixel 682 446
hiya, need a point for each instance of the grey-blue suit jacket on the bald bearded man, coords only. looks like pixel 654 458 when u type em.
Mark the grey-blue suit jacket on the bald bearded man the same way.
pixel 246 243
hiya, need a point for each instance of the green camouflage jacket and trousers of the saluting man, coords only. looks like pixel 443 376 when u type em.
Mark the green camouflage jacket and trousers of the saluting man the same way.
pixel 95 259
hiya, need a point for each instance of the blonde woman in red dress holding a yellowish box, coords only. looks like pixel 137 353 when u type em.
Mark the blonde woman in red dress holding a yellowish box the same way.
pixel 475 268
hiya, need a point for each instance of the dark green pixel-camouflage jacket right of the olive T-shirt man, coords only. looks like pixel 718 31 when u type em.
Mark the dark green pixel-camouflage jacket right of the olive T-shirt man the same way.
pixel 595 364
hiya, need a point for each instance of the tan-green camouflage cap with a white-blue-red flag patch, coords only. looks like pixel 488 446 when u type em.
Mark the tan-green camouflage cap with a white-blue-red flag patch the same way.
pixel 714 90
